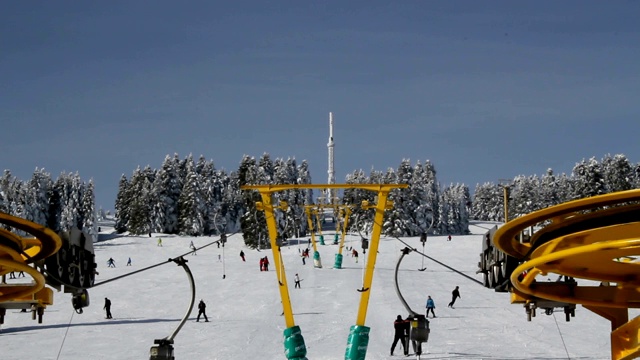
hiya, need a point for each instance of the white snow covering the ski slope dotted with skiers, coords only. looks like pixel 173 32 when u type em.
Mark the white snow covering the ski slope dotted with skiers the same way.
pixel 245 313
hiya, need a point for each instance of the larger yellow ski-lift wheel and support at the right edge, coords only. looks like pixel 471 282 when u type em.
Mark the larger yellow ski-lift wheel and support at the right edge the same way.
pixel 592 242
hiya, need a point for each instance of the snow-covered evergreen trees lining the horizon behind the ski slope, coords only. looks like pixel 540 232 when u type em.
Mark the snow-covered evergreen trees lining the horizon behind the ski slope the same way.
pixel 191 197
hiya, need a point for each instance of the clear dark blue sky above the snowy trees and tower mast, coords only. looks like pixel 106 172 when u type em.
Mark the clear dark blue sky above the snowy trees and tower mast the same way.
pixel 484 90
